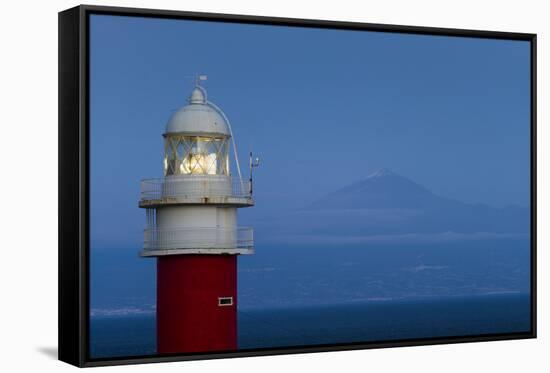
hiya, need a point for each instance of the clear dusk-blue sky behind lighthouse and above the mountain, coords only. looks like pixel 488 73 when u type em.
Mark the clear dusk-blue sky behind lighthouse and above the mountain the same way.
pixel 322 108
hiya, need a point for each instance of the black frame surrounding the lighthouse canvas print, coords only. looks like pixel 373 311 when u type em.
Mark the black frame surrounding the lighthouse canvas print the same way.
pixel 74 180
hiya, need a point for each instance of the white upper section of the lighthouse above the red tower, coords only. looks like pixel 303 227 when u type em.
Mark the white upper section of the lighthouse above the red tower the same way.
pixel 193 208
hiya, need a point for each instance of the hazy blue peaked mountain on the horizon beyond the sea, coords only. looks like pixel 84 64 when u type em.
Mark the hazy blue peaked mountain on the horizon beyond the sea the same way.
pixel 387 205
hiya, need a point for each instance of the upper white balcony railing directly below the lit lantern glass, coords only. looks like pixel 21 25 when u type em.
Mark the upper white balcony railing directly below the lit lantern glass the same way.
pixel 194 186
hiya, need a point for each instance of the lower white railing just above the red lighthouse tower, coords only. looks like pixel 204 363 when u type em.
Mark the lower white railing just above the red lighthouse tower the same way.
pixel 198 238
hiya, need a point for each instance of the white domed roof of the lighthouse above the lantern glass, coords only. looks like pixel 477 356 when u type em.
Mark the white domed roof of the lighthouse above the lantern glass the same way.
pixel 197 118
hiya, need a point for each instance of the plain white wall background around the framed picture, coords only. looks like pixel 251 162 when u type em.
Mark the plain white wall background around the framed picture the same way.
pixel 28 142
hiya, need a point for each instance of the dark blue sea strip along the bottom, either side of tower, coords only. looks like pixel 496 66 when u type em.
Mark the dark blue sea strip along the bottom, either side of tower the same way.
pixel 363 321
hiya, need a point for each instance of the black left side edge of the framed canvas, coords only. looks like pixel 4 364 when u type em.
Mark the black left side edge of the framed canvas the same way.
pixel 70 263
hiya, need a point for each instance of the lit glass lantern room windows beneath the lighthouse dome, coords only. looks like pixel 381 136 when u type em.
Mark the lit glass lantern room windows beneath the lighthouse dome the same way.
pixel 196 155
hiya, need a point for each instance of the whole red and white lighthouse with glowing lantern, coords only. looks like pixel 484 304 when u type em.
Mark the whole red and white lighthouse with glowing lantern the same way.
pixel 191 229
